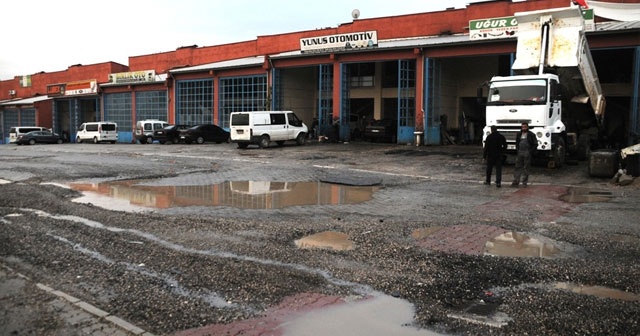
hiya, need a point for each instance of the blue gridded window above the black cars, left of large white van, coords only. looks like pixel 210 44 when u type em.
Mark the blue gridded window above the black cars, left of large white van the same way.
pixel 194 101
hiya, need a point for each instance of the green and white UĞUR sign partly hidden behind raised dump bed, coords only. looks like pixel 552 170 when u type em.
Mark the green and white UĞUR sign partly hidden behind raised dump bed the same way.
pixel 508 26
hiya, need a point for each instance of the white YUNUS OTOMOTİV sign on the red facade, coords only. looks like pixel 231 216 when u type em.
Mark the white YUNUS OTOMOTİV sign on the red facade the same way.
pixel 367 39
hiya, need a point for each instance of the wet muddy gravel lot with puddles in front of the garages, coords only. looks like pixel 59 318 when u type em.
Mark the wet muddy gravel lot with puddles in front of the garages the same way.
pixel 207 254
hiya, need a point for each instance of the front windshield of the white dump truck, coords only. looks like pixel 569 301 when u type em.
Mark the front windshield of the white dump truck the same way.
pixel 527 92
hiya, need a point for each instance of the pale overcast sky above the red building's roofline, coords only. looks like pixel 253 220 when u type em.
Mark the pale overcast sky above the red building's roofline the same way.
pixel 45 35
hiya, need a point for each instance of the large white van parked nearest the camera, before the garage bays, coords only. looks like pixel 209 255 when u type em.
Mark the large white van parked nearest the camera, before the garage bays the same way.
pixel 262 127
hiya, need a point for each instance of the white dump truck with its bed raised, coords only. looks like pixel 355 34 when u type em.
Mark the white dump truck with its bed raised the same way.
pixel 554 87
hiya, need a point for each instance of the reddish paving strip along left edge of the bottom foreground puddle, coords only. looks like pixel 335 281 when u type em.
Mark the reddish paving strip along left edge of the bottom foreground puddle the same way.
pixel 269 324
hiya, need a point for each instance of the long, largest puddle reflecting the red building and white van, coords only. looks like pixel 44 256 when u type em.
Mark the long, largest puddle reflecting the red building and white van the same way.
pixel 237 194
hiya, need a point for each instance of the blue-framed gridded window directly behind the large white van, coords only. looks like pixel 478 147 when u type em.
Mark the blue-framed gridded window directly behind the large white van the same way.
pixel 239 94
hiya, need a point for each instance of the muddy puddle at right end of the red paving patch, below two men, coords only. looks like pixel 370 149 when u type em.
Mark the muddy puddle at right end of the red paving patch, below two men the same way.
pixel 514 244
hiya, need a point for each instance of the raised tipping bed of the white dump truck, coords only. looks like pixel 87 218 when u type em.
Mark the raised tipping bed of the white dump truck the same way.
pixel 567 52
